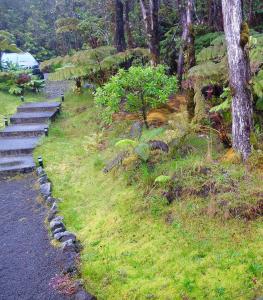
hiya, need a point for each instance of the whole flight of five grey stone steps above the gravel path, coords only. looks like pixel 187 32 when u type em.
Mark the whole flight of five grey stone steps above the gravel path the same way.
pixel 19 139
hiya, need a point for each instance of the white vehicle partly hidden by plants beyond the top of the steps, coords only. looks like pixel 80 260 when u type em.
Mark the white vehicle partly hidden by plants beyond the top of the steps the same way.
pixel 24 60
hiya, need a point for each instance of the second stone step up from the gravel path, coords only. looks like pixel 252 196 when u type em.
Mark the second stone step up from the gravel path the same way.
pixel 17 146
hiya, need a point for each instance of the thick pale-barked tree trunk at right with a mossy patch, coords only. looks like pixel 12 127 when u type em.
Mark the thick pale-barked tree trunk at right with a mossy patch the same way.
pixel 237 36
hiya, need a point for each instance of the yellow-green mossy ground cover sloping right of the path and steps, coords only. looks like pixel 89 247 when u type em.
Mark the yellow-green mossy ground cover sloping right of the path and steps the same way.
pixel 136 246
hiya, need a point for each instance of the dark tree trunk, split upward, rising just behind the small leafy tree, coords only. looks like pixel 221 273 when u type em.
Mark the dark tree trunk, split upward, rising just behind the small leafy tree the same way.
pixel 150 13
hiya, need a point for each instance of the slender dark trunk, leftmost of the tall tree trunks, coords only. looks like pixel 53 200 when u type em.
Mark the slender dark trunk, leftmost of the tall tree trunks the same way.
pixel 119 31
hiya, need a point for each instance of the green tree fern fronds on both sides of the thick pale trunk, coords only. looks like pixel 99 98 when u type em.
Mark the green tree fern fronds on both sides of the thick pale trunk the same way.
pixel 212 68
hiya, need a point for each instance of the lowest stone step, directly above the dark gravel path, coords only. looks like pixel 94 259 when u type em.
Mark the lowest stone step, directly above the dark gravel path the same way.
pixel 16 164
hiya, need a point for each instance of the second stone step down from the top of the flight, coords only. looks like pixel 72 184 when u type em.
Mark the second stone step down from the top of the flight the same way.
pixel 33 117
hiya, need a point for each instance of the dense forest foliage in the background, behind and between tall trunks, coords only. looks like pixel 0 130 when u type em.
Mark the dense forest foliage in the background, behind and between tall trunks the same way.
pixel 47 27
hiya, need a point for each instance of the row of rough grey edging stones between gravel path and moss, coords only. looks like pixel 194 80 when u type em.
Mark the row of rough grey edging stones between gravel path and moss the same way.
pixel 70 246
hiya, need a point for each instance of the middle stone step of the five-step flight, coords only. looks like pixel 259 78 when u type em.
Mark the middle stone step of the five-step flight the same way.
pixel 24 130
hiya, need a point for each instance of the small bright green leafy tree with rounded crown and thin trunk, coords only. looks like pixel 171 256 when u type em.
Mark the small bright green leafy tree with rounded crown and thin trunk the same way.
pixel 138 88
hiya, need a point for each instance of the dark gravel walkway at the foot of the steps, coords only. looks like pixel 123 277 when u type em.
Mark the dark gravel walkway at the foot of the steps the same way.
pixel 27 260
